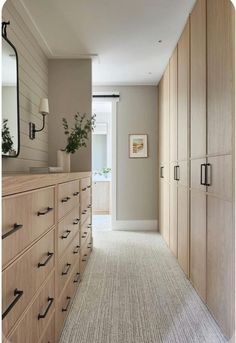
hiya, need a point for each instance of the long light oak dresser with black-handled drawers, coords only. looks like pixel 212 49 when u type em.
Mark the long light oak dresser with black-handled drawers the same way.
pixel 46 243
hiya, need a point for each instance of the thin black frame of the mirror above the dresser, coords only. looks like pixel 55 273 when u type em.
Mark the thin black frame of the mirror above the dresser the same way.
pixel 4 36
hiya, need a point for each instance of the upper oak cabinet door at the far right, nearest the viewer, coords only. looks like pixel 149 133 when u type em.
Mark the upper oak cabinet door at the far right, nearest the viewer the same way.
pixel 220 75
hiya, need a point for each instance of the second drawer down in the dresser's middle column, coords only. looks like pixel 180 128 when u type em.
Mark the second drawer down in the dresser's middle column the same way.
pixel 67 229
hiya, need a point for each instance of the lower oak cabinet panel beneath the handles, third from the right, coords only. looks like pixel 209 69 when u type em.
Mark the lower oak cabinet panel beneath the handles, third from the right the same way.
pixel 183 236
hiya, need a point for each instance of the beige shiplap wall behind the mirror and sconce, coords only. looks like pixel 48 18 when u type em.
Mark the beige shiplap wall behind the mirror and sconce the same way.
pixel 33 79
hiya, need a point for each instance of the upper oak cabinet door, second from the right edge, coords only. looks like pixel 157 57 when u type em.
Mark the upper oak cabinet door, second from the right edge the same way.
pixel 198 79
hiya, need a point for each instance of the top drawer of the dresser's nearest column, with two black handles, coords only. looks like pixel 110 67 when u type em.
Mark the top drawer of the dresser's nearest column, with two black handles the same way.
pixel 25 218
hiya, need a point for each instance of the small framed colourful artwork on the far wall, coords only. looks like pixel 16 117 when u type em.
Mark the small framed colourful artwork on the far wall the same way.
pixel 138 145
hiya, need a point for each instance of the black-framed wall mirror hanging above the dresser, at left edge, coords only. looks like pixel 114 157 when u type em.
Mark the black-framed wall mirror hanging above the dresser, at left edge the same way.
pixel 10 97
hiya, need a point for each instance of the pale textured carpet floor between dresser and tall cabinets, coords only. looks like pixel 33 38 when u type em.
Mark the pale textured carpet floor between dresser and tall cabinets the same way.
pixel 133 291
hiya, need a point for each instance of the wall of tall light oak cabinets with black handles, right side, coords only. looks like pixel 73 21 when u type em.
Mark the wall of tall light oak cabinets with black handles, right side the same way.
pixel 201 156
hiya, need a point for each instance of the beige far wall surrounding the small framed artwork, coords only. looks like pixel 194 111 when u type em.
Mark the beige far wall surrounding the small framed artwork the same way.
pixel 136 178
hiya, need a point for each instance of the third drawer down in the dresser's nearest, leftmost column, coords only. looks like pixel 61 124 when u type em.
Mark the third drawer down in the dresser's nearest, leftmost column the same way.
pixel 36 318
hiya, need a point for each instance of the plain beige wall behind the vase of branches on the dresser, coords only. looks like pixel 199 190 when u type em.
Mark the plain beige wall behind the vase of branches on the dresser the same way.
pixel 69 92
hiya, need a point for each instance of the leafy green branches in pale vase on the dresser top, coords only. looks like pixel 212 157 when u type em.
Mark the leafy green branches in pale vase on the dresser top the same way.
pixel 77 137
